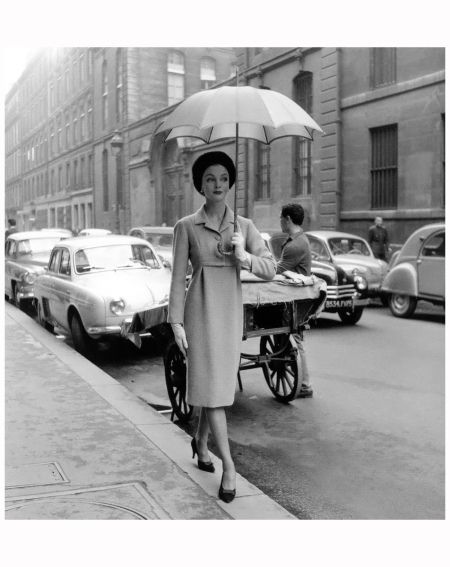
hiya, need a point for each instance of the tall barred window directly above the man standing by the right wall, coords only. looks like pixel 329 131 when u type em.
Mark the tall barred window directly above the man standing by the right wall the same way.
pixel 384 167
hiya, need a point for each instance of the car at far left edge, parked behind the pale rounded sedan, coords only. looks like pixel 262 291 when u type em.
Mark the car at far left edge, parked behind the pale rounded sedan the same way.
pixel 26 254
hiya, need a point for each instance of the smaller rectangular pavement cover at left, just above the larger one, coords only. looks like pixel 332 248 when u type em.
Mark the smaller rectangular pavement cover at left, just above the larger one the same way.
pixel 34 474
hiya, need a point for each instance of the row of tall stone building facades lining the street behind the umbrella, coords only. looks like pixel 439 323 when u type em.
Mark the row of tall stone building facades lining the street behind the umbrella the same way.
pixel 80 149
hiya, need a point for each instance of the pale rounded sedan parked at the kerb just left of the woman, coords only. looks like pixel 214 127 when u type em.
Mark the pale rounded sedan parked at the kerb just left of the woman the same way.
pixel 94 285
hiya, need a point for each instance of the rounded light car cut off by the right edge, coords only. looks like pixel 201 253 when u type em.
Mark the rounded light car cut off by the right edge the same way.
pixel 417 271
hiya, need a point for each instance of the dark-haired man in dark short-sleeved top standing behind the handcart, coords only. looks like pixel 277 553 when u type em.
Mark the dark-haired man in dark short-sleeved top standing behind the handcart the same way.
pixel 296 257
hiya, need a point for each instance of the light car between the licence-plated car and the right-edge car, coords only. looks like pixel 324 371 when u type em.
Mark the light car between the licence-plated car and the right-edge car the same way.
pixel 351 253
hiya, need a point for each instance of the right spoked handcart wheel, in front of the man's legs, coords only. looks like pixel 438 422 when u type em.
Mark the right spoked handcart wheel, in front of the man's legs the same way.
pixel 282 371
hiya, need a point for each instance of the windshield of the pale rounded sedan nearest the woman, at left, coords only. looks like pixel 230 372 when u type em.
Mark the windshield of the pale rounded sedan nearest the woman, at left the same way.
pixel 115 257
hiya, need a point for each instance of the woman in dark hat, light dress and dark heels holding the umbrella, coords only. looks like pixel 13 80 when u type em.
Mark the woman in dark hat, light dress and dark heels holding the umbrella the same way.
pixel 207 320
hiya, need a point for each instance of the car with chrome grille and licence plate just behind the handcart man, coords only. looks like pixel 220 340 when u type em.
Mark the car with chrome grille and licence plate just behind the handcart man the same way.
pixel 346 293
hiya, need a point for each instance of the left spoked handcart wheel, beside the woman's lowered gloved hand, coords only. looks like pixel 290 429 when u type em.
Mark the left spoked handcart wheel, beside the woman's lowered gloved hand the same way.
pixel 175 369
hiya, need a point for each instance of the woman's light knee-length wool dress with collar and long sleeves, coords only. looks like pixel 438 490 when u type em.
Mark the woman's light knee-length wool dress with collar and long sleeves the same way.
pixel 211 310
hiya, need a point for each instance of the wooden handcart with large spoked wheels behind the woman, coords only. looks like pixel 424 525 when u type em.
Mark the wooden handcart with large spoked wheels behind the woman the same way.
pixel 272 312
